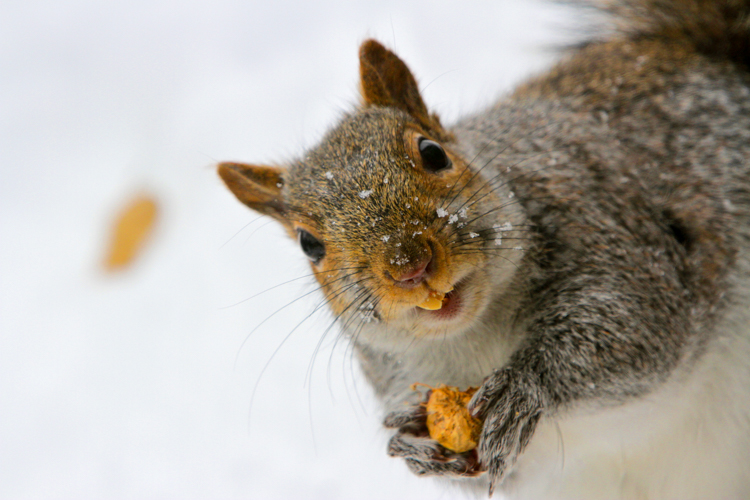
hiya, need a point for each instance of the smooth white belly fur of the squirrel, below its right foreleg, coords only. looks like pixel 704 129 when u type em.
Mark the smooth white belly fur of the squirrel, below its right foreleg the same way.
pixel 688 440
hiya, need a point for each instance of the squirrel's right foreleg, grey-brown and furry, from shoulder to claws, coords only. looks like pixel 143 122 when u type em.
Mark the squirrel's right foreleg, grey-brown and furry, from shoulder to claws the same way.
pixel 599 344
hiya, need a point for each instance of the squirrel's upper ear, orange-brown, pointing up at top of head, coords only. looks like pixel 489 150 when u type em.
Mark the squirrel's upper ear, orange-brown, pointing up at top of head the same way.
pixel 386 81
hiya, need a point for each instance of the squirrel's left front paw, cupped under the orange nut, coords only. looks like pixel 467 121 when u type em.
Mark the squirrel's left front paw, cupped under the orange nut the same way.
pixel 423 455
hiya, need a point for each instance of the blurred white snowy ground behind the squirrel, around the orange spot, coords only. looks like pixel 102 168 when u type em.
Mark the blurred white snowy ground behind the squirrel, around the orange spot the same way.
pixel 139 385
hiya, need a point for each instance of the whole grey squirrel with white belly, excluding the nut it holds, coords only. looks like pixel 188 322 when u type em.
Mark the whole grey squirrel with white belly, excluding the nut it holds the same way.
pixel 579 251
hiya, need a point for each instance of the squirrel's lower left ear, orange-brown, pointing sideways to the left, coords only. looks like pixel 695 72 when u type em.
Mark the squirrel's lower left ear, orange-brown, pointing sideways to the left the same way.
pixel 258 187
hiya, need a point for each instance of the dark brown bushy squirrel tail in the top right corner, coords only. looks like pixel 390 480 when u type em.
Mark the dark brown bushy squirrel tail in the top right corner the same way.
pixel 717 28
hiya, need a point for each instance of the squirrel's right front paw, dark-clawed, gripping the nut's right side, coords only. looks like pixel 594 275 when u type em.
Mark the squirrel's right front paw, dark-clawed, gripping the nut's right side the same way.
pixel 510 405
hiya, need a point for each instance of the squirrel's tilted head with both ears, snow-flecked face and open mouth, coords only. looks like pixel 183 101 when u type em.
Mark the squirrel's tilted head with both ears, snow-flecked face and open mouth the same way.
pixel 398 225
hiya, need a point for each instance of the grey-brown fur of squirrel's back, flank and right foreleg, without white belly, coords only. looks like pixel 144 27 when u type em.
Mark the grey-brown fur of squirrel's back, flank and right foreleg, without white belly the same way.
pixel 639 195
